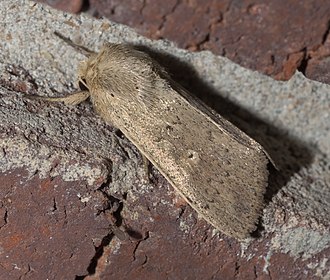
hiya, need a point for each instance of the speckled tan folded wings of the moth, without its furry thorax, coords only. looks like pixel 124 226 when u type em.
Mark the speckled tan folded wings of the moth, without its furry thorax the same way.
pixel 219 170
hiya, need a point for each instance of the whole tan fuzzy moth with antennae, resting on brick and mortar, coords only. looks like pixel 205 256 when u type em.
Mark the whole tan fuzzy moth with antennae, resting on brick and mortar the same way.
pixel 219 170
